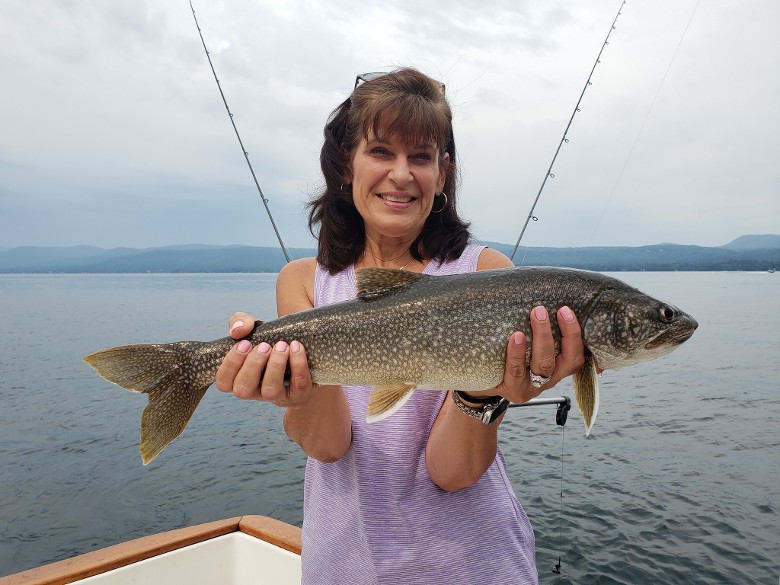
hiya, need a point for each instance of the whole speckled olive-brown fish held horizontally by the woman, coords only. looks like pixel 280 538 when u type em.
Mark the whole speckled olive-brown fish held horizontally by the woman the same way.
pixel 407 331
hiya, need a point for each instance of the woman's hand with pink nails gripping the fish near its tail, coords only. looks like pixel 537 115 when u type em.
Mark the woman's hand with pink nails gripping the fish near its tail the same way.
pixel 258 373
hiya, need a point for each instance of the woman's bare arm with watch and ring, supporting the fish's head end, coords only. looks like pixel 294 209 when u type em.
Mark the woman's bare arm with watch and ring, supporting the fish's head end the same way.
pixel 460 448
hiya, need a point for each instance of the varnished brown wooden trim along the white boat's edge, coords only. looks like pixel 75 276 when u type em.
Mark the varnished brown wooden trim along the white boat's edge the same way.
pixel 106 559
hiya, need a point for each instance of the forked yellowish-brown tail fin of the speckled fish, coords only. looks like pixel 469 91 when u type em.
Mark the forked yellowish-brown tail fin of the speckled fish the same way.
pixel 174 376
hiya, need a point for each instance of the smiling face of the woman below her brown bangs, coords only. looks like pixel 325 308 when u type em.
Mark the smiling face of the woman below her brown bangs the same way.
pixel 393 185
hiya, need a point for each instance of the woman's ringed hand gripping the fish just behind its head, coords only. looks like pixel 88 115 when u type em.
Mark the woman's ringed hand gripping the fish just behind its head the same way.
pixel 516 385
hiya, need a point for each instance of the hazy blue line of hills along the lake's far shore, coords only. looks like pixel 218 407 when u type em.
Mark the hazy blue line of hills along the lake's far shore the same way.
pixel 746 253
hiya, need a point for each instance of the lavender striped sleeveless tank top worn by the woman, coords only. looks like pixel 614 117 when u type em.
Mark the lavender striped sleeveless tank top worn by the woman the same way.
pixel 375 516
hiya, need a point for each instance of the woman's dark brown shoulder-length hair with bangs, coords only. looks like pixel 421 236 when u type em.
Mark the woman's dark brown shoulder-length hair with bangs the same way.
pixel 405 104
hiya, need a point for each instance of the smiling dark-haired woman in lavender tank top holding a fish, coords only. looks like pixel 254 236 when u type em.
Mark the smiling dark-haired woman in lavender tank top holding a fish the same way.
pixel 423 496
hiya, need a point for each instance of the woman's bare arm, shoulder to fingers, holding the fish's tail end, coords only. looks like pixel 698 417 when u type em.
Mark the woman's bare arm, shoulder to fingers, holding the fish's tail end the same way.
pixel 317 417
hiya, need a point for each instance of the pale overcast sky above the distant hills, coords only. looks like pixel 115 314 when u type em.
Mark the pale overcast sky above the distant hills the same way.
pixel 113 132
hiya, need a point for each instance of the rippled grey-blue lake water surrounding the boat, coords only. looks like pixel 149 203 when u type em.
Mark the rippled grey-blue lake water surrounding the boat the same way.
pixel 679 482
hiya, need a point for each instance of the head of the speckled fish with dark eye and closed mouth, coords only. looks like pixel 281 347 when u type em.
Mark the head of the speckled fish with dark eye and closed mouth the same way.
pixel 626 326
